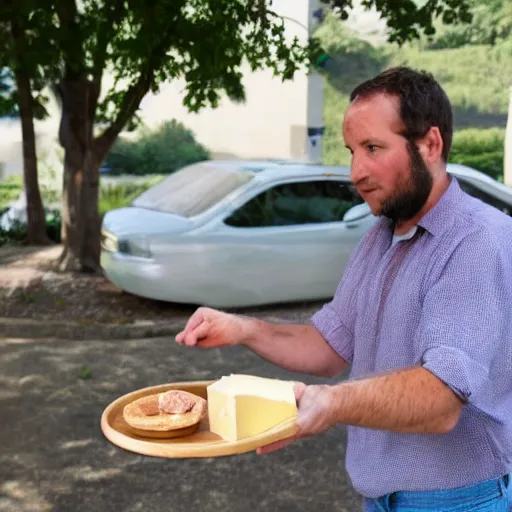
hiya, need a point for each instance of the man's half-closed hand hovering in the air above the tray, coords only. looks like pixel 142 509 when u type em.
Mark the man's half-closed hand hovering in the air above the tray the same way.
pixel 211 328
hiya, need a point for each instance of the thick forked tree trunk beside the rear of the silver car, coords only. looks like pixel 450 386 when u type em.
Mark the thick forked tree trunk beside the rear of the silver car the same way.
pixel 81 222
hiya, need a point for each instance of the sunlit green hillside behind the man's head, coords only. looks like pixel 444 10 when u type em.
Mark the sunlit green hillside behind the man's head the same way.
pixel 476 78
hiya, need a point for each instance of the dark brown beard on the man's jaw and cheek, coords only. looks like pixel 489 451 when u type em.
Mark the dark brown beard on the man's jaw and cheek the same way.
pixel 413 193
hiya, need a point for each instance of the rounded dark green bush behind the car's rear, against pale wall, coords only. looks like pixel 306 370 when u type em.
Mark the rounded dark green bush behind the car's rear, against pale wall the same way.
pixel 161 151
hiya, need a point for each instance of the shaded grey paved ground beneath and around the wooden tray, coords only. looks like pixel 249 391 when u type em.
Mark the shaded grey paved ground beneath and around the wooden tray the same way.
pixel 54 457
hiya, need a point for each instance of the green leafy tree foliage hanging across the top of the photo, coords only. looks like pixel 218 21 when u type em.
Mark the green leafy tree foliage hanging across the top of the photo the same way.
pixel 207 43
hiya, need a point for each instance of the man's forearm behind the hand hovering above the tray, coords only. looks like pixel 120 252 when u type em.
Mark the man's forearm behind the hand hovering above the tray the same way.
pixel 297 348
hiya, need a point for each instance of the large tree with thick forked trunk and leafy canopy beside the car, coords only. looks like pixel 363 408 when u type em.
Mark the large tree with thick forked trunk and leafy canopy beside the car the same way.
pixel 142 44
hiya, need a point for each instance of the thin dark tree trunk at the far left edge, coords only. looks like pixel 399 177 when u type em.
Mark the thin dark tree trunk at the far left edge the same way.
pixel 36 219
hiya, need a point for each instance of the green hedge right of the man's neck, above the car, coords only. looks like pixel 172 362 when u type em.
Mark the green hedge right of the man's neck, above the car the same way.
pixel 482 149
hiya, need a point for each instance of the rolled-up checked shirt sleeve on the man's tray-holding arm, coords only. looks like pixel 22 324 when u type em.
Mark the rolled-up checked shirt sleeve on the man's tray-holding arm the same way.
pixel 465 322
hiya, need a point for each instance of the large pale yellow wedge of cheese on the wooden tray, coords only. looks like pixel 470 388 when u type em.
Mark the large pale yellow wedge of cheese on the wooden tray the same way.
pixel 241 406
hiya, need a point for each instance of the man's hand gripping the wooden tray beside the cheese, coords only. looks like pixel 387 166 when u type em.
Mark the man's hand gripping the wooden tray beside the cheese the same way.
pixel 315 414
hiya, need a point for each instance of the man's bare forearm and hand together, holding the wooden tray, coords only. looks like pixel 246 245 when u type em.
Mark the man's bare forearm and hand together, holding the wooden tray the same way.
pixel 412 400
